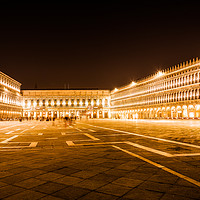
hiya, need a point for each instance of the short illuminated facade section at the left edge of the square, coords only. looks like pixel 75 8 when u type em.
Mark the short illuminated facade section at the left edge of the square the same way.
pixel 10 98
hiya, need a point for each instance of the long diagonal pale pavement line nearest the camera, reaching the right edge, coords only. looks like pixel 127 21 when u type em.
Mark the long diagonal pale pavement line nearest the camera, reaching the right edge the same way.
pixel 197 183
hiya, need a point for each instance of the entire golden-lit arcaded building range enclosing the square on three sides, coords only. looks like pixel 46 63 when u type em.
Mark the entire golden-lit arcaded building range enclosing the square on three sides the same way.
pixel 173 93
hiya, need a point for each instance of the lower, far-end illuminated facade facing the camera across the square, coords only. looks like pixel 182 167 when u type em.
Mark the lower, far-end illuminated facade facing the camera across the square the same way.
pixel 61 103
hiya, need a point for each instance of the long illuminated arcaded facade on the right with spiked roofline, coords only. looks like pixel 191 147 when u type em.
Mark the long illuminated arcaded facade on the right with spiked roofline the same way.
pixel 173 93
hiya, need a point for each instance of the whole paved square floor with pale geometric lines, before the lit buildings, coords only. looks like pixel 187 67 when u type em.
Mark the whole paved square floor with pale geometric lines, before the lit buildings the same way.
pixel 100 159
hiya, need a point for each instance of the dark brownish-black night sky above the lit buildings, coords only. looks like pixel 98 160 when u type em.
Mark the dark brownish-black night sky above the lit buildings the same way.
pixel 95 45
